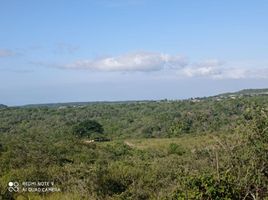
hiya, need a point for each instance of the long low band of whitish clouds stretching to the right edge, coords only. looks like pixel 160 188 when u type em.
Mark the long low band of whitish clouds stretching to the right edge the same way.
pixel 167 65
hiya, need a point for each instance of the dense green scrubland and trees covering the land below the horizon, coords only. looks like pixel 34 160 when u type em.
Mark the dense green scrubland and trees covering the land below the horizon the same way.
pixel 208 148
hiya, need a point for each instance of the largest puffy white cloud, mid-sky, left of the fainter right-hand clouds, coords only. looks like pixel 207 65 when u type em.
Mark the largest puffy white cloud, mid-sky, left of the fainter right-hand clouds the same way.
pixel 141 61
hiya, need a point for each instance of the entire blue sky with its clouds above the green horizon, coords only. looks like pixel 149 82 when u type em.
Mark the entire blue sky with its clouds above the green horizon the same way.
pixel 107 50
